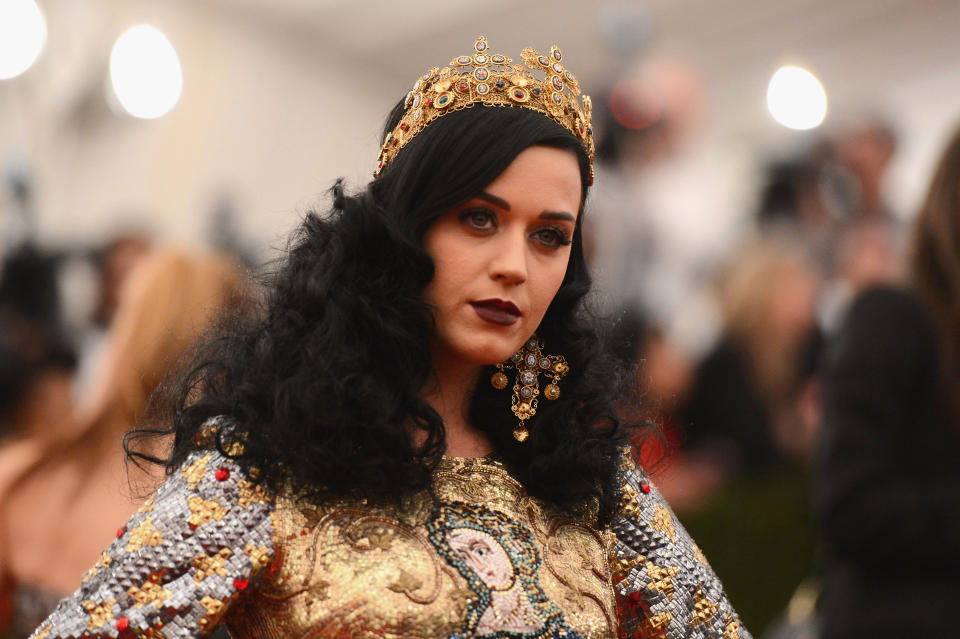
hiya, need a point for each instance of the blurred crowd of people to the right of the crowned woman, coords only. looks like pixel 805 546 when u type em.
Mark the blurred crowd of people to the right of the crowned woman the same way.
pixel 802 365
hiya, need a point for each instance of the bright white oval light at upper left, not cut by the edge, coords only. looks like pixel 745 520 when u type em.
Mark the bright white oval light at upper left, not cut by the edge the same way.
pixel 145 72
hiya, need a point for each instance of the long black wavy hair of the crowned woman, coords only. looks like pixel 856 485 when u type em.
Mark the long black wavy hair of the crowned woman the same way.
pixel 324 388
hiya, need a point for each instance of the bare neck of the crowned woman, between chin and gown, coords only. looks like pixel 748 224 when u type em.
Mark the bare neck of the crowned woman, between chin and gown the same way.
pixel 450 397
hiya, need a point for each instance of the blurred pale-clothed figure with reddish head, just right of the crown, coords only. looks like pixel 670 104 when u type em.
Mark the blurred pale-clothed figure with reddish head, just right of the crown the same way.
pixel 656 240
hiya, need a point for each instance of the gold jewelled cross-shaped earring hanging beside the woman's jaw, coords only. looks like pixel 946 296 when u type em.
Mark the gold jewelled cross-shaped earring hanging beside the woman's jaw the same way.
pixel 529 363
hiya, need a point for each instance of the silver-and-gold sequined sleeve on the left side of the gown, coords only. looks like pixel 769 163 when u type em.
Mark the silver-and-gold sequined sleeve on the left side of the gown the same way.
pixel 179 563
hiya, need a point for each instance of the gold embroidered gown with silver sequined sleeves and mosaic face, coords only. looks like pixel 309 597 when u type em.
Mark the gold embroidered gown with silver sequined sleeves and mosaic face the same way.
pixel 474 556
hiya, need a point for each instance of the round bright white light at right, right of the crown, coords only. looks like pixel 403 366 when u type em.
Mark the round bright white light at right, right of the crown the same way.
pixel 796 98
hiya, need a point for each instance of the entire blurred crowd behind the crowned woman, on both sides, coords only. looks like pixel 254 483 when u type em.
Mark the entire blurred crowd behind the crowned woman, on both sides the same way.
pixel 802 368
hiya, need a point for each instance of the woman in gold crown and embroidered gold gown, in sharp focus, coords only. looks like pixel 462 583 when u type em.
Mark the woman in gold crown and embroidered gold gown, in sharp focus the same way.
pixel 319 450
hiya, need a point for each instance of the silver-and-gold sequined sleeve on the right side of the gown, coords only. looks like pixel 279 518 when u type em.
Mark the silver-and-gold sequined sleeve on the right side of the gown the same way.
pixel 663 584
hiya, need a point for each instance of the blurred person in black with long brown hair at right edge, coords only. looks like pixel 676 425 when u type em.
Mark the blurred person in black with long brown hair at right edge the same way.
pixel 887 482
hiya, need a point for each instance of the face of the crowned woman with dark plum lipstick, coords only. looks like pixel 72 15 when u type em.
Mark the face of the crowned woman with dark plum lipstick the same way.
pixel 500 257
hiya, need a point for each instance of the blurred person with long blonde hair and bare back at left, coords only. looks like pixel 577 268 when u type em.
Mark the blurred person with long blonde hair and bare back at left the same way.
pixel 57 514
